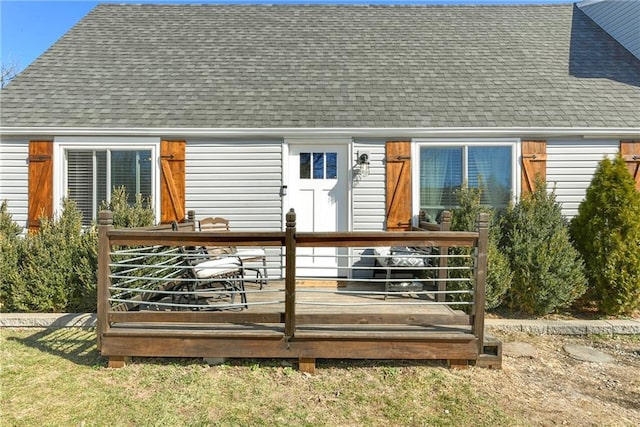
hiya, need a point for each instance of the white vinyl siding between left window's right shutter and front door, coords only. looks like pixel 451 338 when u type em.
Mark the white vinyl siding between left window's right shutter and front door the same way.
pixel 240 181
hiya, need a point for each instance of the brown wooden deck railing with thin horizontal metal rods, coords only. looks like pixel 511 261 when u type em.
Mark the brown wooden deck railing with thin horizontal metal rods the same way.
pixel 139 270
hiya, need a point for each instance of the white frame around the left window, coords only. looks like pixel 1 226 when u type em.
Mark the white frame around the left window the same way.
pixel 62 144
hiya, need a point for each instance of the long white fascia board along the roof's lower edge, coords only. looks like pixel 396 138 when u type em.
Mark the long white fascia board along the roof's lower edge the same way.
pixel 524 132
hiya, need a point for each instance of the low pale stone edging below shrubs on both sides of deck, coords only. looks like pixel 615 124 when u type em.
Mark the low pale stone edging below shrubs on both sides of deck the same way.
pixel 539 327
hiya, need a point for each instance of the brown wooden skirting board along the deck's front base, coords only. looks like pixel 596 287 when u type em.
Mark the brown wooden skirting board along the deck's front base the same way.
pixel 317 344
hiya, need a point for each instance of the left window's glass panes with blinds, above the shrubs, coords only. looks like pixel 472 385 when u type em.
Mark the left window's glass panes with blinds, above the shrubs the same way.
pixel 92 175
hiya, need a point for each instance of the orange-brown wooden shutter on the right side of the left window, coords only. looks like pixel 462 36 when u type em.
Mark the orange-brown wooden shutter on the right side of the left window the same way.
pixel 172 181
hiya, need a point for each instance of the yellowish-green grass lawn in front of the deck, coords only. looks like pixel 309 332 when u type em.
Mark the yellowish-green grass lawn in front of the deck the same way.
pixel 57 377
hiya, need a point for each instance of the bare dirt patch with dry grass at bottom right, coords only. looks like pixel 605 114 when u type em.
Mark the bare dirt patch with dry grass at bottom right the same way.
pixel 552 388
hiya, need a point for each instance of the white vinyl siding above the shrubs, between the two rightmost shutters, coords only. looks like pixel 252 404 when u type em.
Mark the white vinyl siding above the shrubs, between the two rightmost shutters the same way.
pixel 570 168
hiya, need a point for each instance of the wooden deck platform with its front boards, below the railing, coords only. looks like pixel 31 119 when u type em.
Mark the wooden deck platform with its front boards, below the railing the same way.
pixel 402 327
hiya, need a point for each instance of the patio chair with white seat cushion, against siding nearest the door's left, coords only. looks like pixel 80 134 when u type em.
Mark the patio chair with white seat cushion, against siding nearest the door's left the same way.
pixel 246 255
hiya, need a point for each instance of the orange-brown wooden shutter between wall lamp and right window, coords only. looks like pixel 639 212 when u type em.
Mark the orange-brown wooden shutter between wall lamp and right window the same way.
pixel 398 185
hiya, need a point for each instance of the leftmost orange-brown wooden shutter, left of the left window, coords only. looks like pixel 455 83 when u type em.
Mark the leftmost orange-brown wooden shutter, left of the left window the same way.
pixel 40 182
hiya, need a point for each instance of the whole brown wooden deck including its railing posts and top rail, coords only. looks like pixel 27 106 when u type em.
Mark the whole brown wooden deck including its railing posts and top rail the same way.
pixel 304 321
